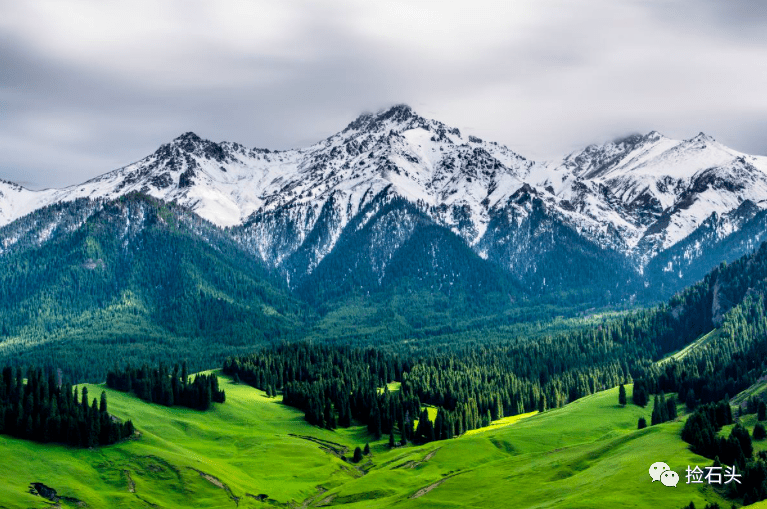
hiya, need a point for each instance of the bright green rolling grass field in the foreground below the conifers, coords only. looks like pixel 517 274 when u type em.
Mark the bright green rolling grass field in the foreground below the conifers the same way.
pixel 587 454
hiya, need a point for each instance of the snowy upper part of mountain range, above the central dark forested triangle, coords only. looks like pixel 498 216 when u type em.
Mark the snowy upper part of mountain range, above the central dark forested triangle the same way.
pixel 621 203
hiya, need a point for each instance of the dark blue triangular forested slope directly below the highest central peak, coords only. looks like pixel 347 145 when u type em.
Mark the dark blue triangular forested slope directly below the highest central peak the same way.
pixel 395 247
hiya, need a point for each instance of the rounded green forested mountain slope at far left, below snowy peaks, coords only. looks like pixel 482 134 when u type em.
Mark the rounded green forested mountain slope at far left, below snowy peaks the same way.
pixel 140 279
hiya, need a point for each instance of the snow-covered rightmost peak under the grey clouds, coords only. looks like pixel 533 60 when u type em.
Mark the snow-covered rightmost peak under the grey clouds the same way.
pixel 652 190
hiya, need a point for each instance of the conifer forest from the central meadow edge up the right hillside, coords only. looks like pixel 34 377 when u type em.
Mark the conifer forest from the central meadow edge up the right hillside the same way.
pixel 472 385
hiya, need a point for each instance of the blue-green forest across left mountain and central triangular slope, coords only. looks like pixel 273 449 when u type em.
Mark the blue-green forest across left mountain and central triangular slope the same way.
pixel 153 282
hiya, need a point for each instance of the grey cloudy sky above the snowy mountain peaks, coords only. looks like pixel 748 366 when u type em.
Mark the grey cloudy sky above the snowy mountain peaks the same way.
pixel 87 86
